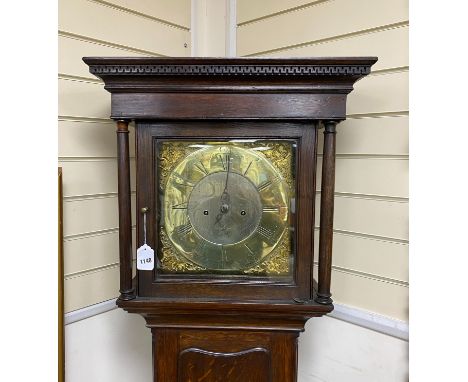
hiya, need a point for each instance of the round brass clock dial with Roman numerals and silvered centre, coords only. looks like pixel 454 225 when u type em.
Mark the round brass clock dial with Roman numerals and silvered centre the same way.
pixel 225 207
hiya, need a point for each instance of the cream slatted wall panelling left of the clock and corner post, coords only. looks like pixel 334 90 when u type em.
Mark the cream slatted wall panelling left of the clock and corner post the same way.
pixel 87 150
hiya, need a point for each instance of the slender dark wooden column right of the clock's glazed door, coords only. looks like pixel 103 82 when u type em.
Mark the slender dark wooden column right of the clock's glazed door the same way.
pixel 327 199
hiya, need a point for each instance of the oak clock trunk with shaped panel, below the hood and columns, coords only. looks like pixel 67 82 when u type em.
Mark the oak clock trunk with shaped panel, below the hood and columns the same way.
pixel 224 341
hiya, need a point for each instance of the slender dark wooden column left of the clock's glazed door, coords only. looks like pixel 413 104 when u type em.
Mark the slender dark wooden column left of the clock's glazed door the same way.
pixel 127 291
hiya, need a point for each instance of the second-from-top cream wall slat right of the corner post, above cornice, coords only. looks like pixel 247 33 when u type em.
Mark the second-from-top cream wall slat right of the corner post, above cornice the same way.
pixel 295 28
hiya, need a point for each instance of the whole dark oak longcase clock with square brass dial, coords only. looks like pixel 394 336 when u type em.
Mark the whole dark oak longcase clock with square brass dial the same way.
pixel 226 159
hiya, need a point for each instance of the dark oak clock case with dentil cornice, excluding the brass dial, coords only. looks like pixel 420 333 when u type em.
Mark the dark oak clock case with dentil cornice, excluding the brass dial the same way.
pixel 215 98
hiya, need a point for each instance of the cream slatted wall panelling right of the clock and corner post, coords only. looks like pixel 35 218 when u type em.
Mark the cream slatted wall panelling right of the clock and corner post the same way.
pixel 370 261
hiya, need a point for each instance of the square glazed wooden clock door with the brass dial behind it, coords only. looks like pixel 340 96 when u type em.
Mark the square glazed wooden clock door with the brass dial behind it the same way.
pixel 225 207
